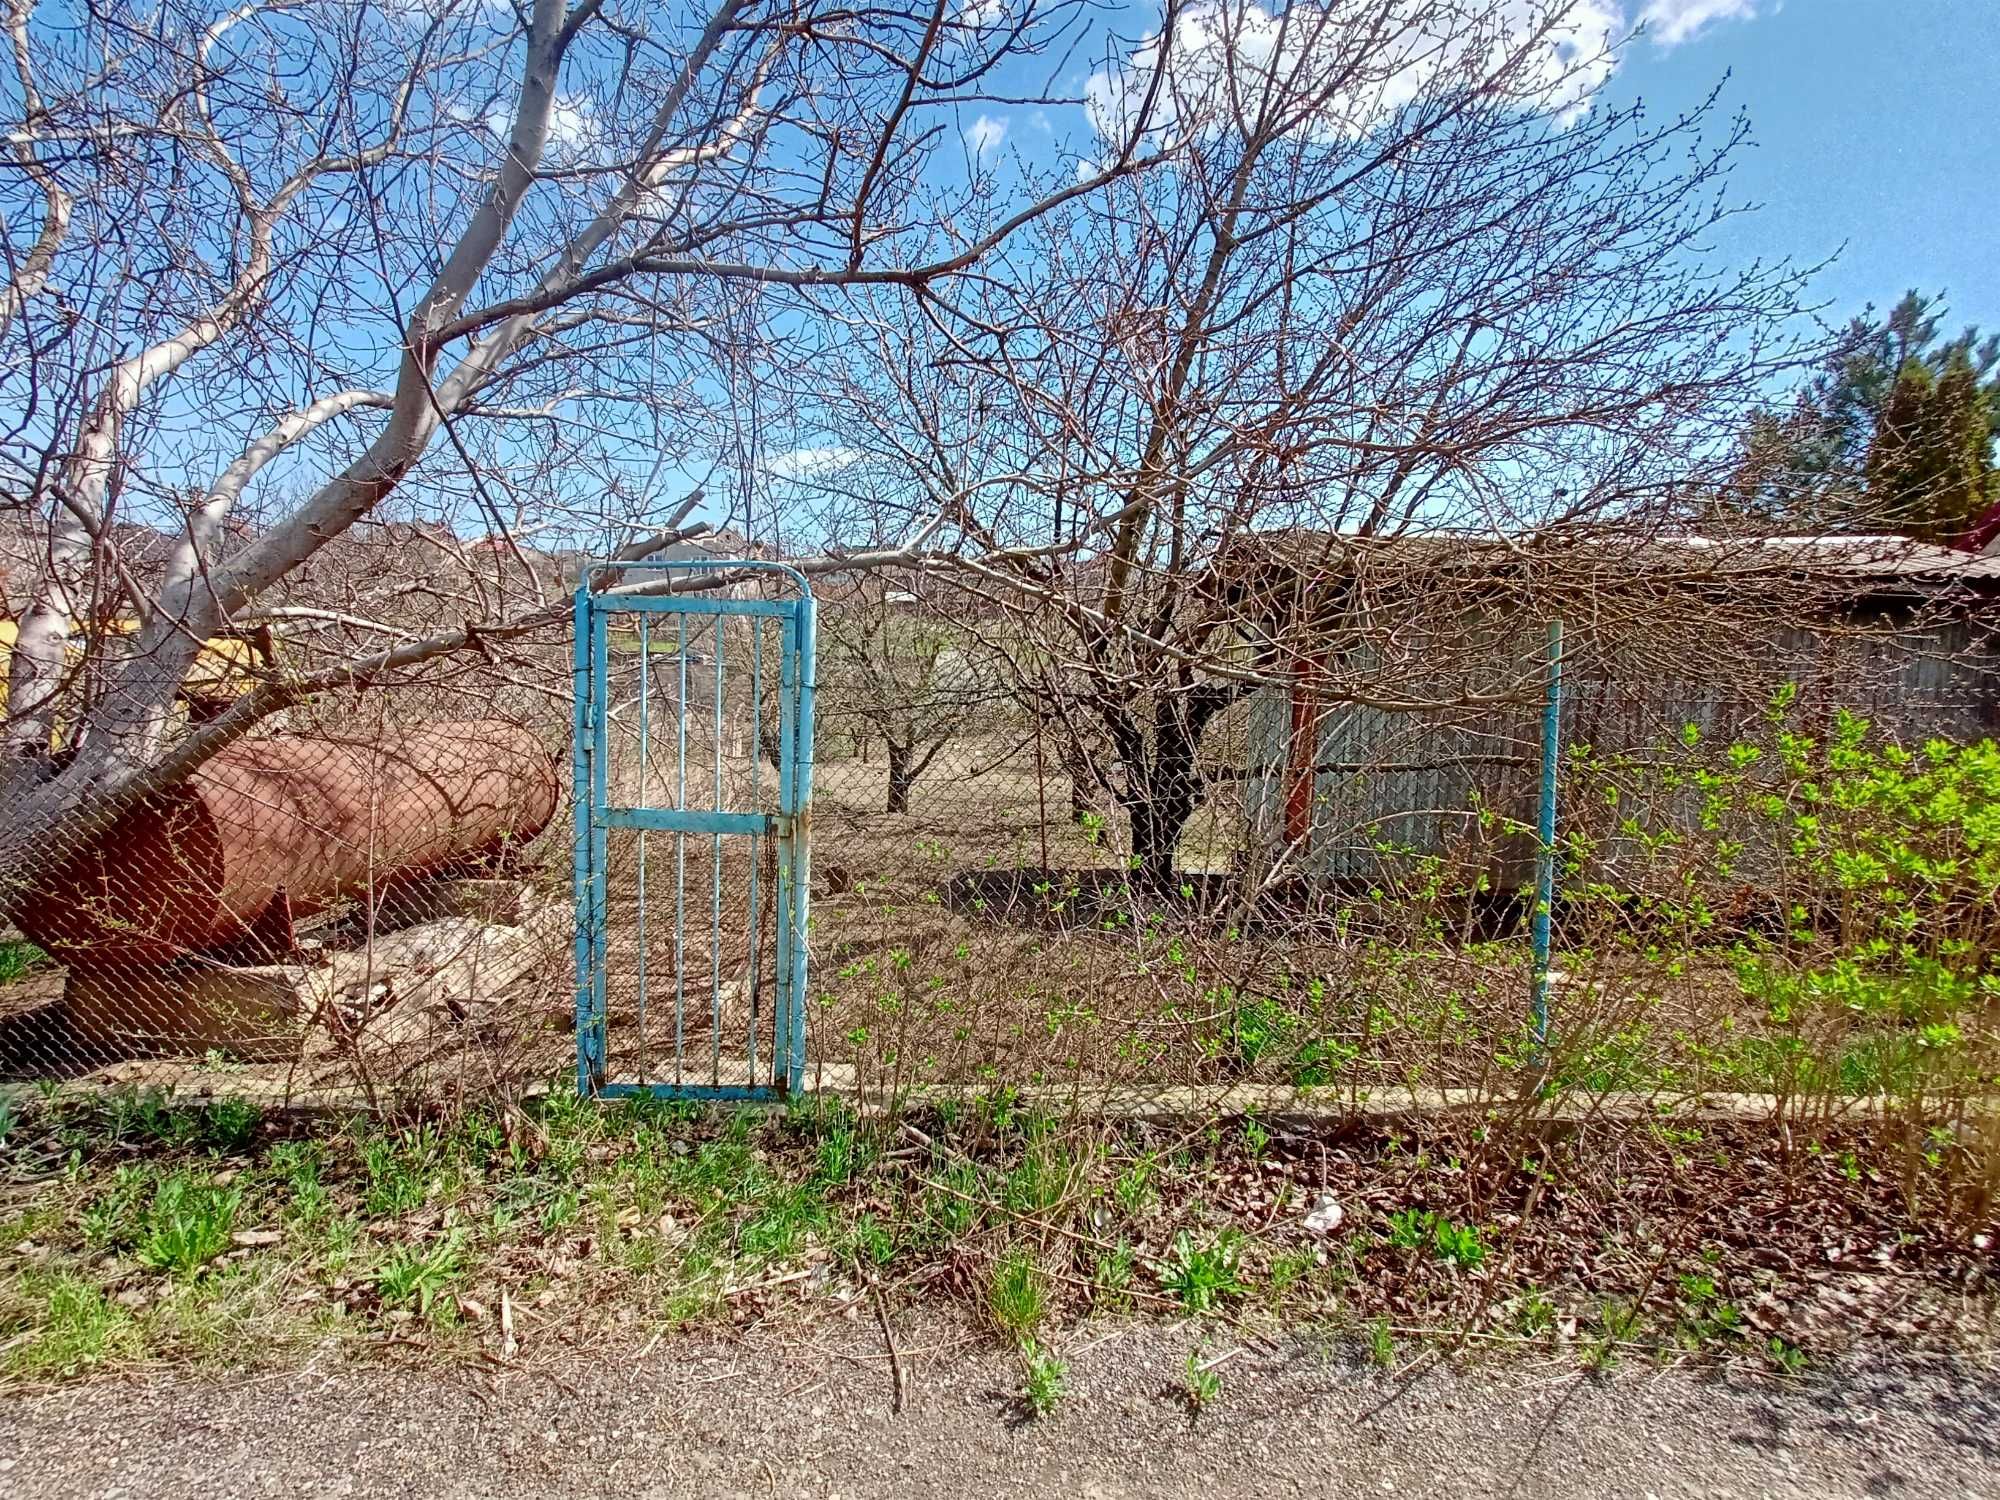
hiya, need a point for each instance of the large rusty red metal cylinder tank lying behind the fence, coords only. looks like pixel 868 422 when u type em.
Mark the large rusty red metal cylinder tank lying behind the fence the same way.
pixel 289 823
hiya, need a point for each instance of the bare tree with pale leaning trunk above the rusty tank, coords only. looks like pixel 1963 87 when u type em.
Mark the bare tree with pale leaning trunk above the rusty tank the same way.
pixel 289 267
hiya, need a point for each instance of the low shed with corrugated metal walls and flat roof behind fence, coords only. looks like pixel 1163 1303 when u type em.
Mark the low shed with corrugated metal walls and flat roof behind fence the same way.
pixel 1419 671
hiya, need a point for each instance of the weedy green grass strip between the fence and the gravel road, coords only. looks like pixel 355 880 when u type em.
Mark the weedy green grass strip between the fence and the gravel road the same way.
pixel 147 1241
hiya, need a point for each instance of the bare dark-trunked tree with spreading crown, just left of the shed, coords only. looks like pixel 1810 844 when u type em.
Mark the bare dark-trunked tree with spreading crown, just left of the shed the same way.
pixel 1407 277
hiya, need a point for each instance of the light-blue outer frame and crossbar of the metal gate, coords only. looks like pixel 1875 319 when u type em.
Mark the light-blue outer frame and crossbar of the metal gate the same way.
pixel 791 825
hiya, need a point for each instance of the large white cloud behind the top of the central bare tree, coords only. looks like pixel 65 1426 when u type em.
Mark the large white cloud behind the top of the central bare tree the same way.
pixel 1223 55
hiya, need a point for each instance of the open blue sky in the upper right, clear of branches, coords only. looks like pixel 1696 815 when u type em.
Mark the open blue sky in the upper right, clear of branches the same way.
pixel 1873 125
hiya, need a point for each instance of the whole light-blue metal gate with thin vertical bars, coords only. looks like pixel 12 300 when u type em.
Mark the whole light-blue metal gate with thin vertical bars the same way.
pixel 695 737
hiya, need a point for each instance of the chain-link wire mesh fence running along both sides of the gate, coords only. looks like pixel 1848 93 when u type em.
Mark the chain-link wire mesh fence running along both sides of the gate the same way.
pixel 371 897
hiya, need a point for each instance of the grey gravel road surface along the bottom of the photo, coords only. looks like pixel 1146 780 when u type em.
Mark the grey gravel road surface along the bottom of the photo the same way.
pixel 813 1417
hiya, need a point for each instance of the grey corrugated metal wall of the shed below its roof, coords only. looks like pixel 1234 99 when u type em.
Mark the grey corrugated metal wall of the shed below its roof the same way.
pixel 1411 779
